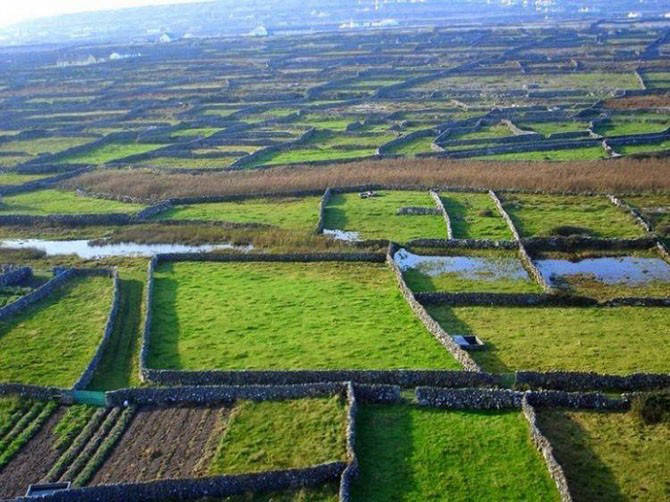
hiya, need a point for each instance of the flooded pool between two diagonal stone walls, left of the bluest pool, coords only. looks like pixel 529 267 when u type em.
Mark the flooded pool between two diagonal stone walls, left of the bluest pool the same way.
pixel 468 267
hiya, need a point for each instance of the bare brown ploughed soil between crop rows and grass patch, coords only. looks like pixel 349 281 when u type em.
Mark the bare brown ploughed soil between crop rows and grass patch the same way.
pixel 161 444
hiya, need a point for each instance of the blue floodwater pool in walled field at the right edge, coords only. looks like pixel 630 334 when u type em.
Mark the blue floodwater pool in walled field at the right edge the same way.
pixel 609 270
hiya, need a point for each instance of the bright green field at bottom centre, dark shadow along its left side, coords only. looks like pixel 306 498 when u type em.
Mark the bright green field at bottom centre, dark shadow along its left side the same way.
pixel 412 453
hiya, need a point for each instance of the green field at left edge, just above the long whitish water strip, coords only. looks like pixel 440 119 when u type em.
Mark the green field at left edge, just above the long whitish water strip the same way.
pixel 50 201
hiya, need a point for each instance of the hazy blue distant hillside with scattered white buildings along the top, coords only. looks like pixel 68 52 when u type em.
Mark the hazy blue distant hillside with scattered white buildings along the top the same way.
pixel 260 17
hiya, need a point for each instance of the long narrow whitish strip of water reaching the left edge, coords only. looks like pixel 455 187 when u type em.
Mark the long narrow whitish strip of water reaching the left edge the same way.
pixel 84 249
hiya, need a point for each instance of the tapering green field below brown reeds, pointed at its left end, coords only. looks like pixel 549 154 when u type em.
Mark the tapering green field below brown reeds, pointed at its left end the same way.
pixel 300 214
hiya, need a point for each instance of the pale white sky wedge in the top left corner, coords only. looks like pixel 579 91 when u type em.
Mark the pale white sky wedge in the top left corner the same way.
pixel 13 11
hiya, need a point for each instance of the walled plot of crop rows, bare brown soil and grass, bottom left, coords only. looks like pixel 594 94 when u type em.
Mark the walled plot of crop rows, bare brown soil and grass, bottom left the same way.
pixel 93 446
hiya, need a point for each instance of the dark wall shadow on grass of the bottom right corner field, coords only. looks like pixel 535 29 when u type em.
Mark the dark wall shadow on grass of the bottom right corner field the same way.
pixel 589 478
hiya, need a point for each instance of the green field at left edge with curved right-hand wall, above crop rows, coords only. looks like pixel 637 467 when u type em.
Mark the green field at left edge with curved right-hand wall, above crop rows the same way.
pixel 53 341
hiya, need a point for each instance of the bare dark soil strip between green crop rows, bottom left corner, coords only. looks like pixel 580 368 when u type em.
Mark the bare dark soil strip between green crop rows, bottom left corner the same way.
pixel 31 464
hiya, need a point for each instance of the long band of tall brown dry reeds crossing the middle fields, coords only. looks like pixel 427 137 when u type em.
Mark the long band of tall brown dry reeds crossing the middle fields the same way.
pixel 622 175
